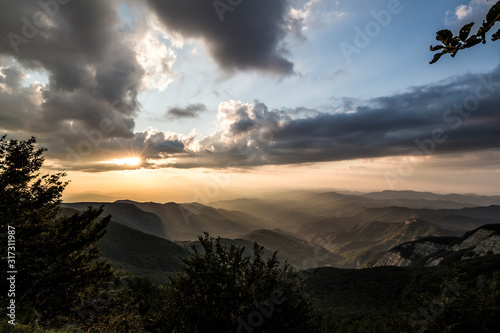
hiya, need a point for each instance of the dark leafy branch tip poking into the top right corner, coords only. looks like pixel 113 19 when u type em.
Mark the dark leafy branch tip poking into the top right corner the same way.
pixel 452 44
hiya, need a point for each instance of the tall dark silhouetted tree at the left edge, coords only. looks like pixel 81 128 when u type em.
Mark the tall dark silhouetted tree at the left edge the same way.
pixel 55 256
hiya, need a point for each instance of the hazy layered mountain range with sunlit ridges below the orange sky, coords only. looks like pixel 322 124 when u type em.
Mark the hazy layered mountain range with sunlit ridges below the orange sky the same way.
pixel 308 229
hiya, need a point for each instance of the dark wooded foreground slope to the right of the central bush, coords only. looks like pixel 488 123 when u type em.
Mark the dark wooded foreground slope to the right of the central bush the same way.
pixel 459 297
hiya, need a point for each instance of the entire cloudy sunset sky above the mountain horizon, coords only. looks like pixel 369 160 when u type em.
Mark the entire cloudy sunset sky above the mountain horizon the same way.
pixel 198 100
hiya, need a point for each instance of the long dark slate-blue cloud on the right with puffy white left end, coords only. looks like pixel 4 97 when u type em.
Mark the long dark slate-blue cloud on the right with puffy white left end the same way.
pixel 450 117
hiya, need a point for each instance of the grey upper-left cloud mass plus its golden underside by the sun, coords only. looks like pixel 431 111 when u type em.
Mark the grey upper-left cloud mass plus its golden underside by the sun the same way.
pixel 84 115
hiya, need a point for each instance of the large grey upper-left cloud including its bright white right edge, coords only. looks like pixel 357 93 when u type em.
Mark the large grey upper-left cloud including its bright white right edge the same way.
pixel 96 63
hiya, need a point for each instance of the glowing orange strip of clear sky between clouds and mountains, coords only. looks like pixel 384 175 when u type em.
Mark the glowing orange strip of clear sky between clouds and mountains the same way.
pixel 206 185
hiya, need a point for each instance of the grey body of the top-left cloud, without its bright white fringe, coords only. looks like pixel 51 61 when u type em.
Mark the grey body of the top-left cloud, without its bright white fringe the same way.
pixel 93 71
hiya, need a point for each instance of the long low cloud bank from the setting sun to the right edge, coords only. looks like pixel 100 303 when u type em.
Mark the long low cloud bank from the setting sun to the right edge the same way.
pixel 456 116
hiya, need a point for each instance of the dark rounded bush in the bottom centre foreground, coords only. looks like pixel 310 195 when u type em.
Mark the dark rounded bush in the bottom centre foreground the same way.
pixel 220 290
